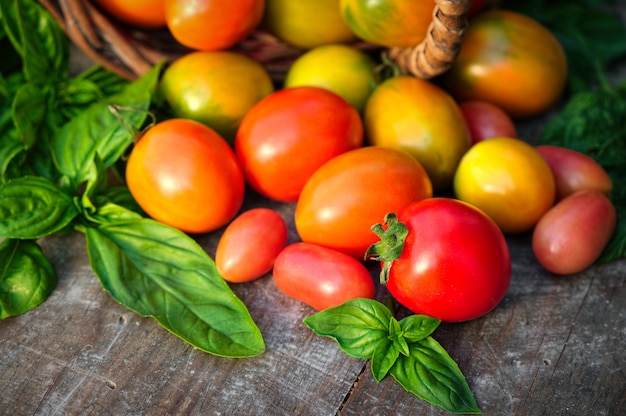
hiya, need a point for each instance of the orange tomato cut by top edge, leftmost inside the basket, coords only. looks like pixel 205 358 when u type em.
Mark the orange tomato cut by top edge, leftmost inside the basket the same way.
pixel 139 13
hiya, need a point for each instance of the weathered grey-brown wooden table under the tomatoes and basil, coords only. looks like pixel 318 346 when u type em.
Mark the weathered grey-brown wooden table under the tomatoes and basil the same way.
pixel 554 346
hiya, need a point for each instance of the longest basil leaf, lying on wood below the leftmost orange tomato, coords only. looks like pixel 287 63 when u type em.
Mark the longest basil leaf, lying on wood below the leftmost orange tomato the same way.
pixel 158 271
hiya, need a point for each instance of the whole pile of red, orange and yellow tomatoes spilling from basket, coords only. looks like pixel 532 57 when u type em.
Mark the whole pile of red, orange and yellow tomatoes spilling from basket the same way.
pixel 438 160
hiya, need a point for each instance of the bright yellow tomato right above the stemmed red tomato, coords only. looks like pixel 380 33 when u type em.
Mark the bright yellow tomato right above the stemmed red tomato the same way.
pixel 508 180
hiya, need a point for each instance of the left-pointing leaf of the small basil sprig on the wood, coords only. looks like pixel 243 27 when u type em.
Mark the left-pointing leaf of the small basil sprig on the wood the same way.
pixel 359 326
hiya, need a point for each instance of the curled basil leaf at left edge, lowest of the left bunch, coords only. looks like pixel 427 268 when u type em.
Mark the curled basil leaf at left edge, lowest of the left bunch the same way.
pixel 26 277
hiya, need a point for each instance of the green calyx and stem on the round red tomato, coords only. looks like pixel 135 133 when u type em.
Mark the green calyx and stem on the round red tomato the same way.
pixel 390 245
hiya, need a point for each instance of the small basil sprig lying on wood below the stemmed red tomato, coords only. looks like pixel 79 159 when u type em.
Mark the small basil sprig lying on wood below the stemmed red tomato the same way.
pixel 366 329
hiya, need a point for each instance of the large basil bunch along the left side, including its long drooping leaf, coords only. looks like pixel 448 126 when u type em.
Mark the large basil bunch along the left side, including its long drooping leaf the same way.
pixel 59 137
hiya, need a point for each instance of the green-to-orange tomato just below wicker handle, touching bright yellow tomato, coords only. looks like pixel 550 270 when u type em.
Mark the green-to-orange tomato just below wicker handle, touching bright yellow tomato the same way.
pixel 420 118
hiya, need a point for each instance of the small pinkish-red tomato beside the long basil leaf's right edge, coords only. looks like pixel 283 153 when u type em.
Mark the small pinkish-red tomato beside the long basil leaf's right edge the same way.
pixel 250 244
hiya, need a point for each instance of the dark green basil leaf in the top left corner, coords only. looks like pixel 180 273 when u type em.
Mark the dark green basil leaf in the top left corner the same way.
pixel 38 38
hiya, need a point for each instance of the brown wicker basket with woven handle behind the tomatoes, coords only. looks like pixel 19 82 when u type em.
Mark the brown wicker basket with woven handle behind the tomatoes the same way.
pixel 131 52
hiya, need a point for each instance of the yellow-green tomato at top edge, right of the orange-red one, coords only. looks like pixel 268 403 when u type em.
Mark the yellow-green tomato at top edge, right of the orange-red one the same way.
pixel 306 24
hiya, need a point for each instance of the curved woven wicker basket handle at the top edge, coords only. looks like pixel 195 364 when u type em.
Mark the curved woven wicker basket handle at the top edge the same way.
pixel 436 53
